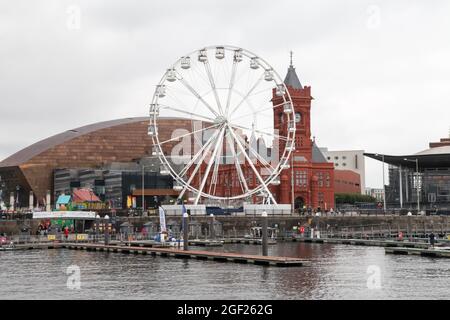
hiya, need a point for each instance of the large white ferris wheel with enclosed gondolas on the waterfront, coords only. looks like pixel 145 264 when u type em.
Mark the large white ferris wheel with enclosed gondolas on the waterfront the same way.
pixel 232 148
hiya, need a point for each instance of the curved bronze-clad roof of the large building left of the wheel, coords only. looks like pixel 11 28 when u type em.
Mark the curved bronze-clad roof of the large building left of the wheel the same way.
pixel 92 146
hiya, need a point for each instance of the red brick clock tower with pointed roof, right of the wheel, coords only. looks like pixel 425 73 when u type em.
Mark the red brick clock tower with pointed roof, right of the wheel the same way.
pixel 310 179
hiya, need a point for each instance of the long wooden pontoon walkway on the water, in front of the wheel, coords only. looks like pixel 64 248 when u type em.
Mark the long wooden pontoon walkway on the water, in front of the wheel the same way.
pixel 193 254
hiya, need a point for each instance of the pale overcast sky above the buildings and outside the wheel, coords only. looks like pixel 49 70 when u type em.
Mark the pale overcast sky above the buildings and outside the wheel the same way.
pixel 379 70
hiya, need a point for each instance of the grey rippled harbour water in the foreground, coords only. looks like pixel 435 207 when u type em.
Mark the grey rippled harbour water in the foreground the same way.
pixel 336 272
